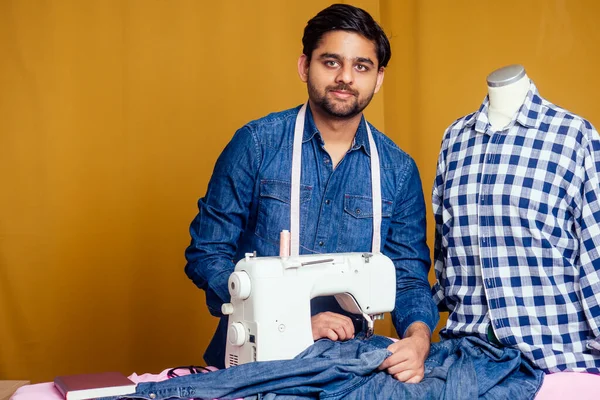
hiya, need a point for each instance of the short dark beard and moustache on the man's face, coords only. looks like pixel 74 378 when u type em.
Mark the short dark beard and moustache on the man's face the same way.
pixel 337 108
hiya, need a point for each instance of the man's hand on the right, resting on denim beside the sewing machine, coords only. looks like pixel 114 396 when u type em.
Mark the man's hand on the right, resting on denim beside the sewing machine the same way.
pixel 407 363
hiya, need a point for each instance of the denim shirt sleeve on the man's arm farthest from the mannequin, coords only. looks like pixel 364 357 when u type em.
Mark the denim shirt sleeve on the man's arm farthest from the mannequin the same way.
pixel 222 217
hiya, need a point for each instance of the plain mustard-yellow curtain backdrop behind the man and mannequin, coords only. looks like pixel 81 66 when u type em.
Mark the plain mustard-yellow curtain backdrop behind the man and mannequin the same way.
pixel 112 114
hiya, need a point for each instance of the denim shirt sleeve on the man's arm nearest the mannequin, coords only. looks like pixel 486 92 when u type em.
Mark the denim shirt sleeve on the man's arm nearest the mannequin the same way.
pixel 407 248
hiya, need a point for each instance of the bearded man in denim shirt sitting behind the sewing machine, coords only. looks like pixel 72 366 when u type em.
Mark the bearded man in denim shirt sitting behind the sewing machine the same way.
pixel 247 203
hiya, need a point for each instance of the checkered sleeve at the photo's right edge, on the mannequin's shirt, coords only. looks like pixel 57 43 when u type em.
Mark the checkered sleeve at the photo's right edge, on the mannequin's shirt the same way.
pixel 588 228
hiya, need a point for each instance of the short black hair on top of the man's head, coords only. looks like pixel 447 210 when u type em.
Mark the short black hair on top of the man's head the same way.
pixel 345 17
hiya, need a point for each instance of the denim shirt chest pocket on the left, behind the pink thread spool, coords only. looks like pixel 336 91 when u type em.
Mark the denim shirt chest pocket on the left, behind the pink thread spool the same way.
pixel 274 209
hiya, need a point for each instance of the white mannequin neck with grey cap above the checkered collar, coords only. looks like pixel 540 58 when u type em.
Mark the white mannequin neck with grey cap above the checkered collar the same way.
pixel 507 89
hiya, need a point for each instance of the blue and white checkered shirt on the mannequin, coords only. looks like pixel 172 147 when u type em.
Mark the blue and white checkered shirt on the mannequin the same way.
pixel 517 215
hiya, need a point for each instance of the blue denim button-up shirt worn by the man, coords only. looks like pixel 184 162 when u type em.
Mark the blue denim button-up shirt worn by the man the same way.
pixel 247 205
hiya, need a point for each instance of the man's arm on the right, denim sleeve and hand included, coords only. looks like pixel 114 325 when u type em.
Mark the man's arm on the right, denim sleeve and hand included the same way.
pixel 415 314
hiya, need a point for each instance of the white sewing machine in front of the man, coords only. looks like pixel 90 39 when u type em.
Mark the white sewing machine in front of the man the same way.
pixel 269 313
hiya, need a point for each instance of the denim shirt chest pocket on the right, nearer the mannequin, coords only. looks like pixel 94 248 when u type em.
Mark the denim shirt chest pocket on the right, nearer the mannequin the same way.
pixel 357 221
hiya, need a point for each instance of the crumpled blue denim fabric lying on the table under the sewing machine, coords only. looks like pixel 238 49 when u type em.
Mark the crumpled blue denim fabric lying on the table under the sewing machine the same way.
pixel 457 369
